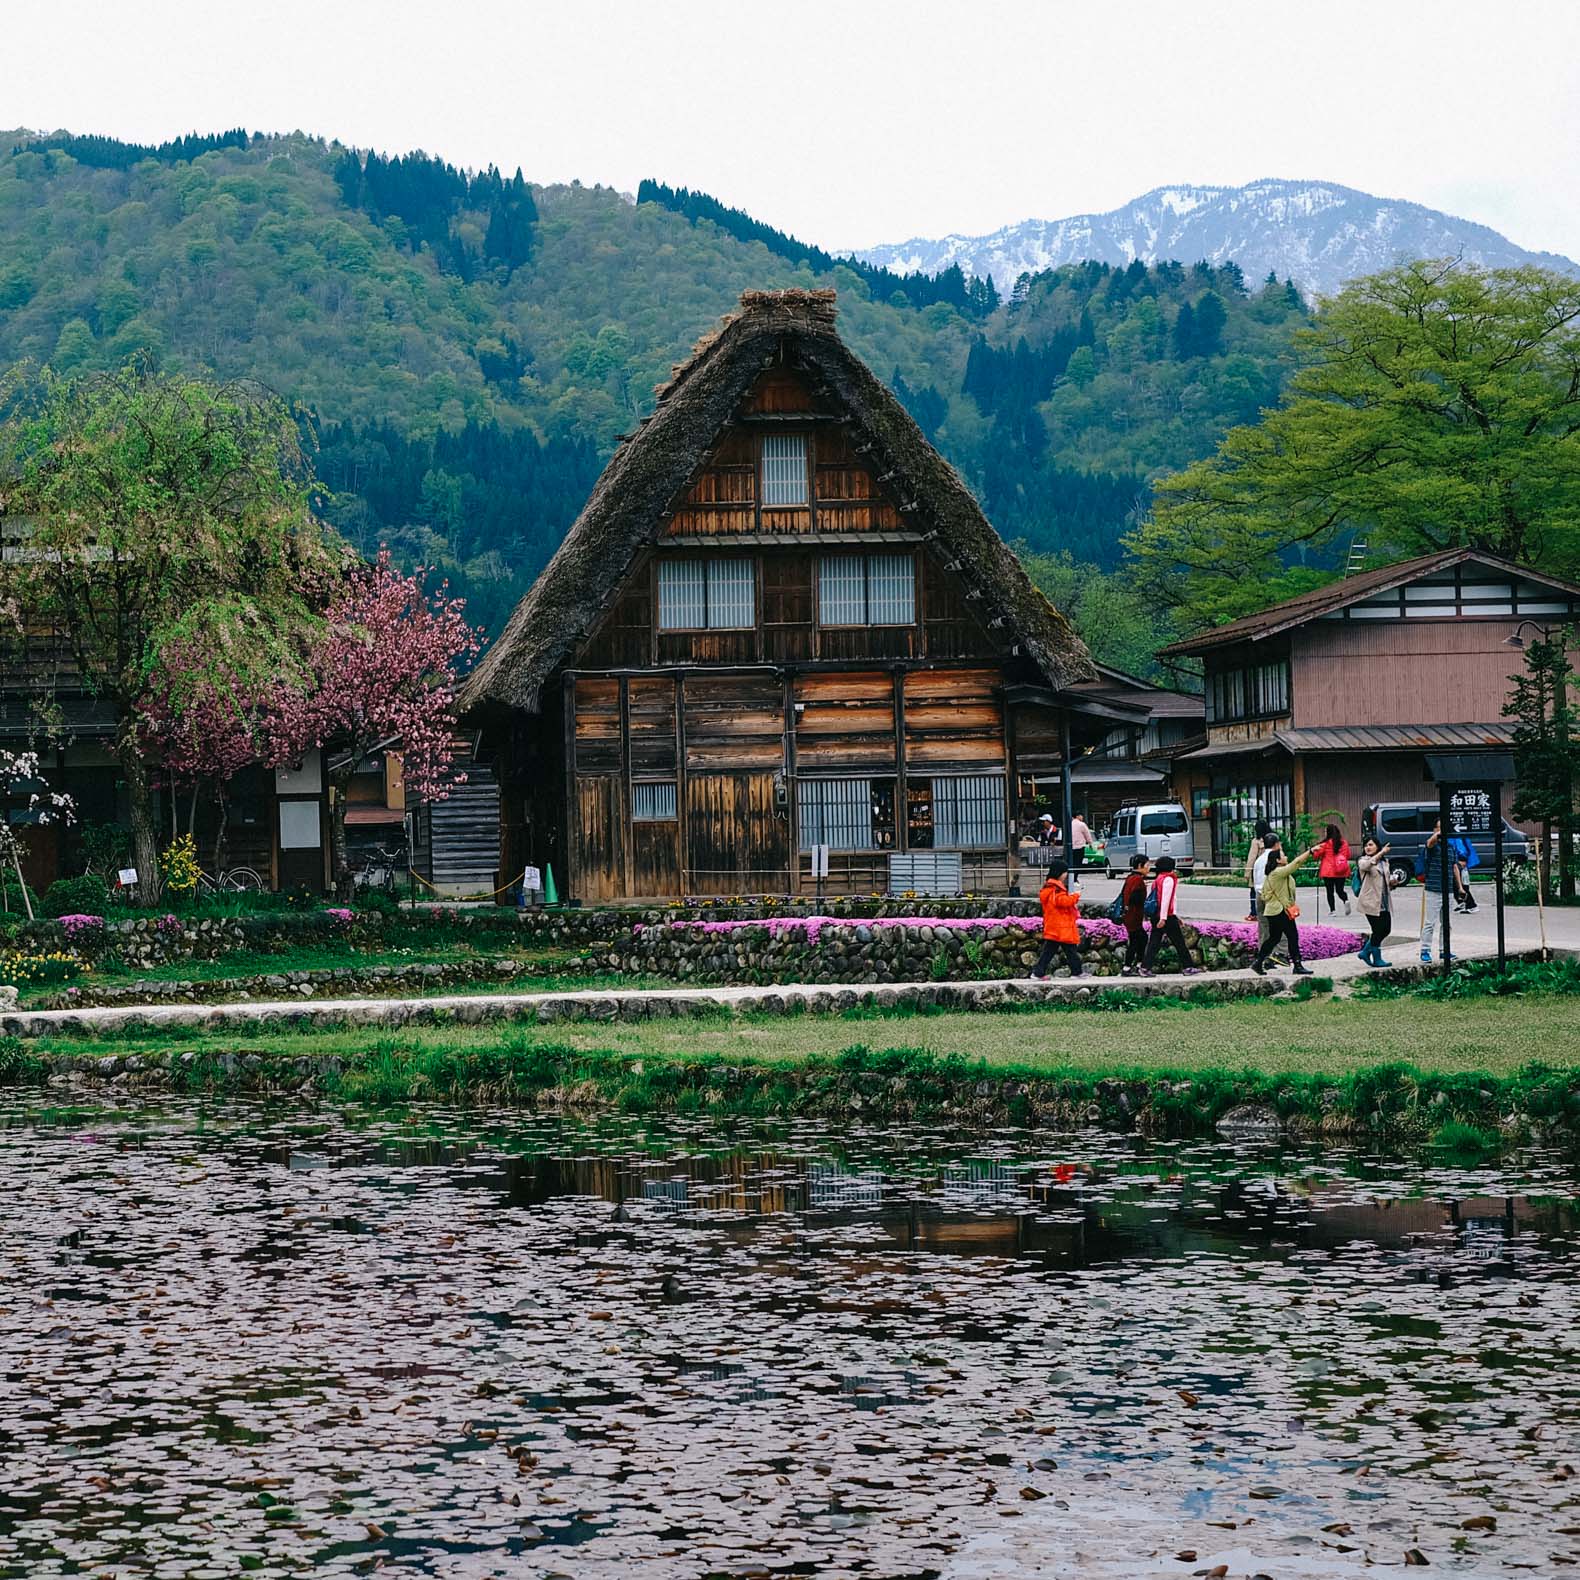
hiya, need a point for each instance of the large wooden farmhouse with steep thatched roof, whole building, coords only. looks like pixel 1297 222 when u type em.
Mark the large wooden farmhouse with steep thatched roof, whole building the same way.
pixel 796 652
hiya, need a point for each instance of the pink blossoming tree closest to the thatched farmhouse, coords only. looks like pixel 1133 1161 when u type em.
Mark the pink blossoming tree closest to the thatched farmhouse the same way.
pixel 382 674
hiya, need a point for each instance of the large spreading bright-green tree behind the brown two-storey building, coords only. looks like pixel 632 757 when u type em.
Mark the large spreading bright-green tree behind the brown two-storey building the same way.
pixel 1437 407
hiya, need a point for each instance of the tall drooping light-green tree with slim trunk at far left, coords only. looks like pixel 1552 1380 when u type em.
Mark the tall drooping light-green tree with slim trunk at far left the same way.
pixel 152 510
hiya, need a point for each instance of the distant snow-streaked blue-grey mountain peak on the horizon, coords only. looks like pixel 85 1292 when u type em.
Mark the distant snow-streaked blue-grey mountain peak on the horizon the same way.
pixel 1315 233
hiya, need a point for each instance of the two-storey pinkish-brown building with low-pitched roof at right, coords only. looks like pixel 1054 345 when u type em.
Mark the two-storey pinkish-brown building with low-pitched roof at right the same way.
pixel 1331 701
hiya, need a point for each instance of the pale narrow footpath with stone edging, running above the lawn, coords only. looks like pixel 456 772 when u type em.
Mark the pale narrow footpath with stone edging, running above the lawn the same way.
pixel 638 1004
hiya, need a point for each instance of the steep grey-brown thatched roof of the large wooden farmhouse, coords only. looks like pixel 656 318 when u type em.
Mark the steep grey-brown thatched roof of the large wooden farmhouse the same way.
pixel 650 473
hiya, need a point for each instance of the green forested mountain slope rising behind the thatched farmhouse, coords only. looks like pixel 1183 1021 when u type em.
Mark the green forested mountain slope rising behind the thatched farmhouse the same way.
pixel 470 347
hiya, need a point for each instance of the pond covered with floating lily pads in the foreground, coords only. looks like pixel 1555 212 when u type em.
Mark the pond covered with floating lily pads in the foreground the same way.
pixel 271 1341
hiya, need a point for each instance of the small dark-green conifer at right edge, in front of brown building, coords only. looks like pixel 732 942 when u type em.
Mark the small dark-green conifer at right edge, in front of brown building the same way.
pixel 1548 751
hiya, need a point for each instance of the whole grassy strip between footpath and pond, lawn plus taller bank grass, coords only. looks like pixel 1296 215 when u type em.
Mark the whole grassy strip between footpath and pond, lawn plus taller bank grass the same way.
pixel 1398 1069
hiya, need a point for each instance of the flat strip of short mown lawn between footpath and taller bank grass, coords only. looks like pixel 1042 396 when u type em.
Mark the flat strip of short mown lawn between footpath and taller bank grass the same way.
pixel 1314 1037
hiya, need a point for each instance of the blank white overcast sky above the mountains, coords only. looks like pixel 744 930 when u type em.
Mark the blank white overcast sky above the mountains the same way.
pixel 865 121
